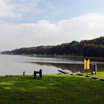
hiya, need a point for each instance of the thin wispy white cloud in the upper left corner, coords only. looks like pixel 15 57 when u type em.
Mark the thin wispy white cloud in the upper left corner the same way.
pixel 19 8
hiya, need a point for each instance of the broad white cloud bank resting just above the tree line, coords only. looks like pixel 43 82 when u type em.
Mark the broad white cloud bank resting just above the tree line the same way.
pixel 44 32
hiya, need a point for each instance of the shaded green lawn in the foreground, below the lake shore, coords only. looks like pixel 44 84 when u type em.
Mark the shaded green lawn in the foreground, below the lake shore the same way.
pixel 51 89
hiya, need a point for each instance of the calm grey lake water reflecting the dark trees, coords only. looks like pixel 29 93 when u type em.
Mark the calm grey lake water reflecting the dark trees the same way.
pixel 15 65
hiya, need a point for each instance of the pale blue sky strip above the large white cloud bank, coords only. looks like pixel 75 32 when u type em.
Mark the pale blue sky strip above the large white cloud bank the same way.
pixel 56 10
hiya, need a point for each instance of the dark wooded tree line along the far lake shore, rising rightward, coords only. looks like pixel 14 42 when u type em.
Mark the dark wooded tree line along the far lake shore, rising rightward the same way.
pixel 92 48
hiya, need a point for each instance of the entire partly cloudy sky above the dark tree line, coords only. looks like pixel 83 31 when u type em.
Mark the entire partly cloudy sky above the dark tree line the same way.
pixel 31 23
